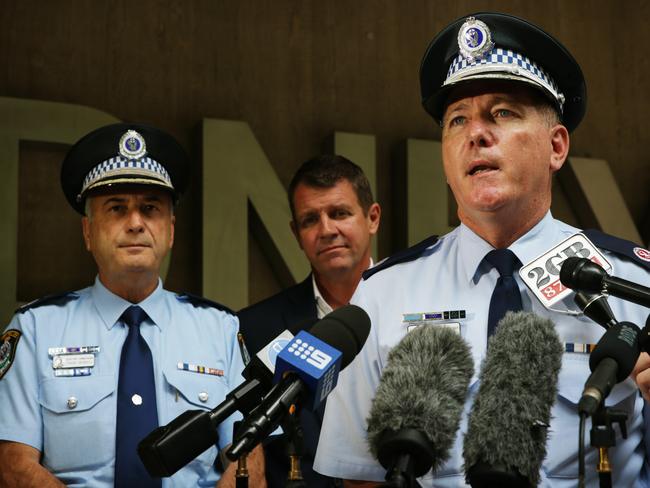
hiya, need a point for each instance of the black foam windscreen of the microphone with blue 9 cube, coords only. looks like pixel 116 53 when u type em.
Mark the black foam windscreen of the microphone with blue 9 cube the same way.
pixel 345 329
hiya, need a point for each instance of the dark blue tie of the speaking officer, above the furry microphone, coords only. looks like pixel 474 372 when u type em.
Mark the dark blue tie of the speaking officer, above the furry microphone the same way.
pixel 506 294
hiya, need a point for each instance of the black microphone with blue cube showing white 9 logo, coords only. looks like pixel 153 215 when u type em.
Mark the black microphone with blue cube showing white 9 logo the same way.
pixel 309 366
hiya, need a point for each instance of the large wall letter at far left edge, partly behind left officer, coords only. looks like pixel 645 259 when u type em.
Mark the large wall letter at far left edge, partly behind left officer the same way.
pixel 34 121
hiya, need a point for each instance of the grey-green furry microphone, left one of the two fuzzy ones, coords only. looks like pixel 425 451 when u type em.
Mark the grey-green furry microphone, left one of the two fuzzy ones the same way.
pixel 419 401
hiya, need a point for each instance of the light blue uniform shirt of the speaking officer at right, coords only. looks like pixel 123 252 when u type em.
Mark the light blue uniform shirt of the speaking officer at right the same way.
pixel 450 276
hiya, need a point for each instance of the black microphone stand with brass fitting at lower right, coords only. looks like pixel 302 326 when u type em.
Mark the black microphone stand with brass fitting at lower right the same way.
pixel 603 437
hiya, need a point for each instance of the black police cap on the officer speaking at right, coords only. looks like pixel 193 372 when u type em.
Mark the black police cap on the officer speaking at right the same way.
pixel 491 45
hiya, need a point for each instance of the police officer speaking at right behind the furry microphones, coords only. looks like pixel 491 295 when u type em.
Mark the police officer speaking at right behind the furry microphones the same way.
pixel 506 95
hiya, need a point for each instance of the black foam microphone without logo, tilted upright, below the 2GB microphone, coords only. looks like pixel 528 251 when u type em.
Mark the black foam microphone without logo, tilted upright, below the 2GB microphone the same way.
pixel 611 362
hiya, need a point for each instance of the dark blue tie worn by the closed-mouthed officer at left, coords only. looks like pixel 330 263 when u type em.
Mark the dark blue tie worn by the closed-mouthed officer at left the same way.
pixel 136 404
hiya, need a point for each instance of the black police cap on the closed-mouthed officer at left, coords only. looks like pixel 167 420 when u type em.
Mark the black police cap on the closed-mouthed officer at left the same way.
pixel 121 154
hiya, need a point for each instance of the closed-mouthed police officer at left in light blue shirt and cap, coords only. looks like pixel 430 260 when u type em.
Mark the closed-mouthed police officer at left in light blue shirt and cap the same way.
pixel 84 376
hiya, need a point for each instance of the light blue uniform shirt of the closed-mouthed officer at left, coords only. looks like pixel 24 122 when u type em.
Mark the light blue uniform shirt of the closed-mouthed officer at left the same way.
pixel 71 420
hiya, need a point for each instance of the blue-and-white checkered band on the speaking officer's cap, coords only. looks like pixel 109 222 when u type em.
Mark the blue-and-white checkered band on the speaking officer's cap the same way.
pixel 502 63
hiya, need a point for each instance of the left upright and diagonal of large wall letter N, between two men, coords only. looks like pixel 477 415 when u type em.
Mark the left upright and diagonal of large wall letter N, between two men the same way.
pixel 235 171
